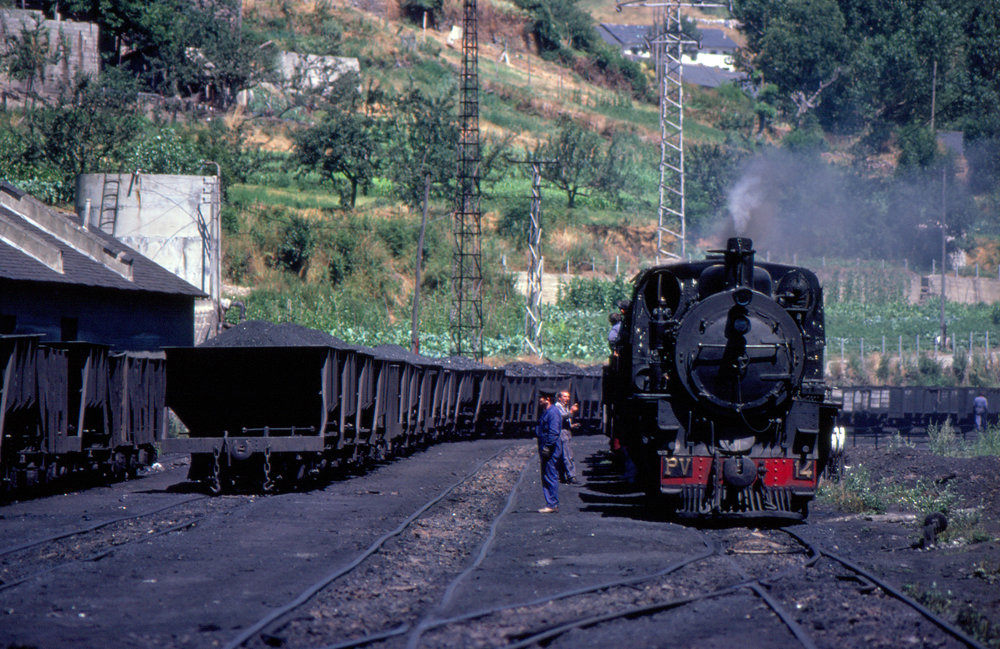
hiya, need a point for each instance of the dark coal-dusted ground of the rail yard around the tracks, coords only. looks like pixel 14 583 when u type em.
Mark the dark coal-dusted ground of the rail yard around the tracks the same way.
pixel 203 585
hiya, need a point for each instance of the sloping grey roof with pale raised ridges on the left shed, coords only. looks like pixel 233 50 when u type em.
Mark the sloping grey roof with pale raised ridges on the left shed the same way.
pixel 115 266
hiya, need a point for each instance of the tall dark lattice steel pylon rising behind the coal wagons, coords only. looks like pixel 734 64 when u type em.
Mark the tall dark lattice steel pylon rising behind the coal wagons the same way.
pixel 467 271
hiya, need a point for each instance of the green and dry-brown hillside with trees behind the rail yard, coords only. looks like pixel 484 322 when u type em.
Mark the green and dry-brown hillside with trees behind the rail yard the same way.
pixel 829 149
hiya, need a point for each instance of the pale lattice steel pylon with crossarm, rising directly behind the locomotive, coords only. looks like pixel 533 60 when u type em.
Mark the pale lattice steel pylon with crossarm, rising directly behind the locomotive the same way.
pixel 670 74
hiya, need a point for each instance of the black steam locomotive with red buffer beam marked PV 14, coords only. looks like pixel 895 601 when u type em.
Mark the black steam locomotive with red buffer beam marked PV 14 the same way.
pixel 716 389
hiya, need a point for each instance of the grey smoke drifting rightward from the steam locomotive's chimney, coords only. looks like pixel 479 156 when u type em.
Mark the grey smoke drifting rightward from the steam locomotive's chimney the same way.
pixel 798 204
